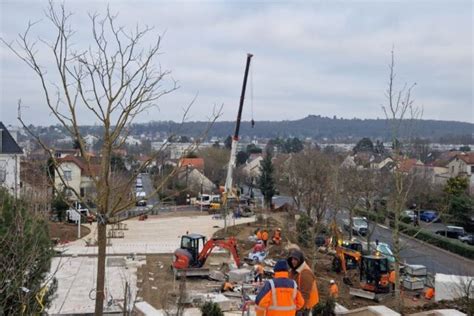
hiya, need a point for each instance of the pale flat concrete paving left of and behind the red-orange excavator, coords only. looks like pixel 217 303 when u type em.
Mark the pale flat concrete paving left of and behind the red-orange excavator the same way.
pixel 76 275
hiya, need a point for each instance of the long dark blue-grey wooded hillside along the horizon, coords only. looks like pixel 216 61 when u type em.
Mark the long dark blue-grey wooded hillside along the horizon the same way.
pixel 317 127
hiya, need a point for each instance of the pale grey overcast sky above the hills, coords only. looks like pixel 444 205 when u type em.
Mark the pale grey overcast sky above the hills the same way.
pixel 319 57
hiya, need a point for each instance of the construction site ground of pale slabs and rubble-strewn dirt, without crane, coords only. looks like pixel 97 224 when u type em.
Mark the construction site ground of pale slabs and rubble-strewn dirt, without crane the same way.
pixel 142 274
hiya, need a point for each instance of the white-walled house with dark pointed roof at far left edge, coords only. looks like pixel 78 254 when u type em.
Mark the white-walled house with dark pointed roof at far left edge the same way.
pixel 10 154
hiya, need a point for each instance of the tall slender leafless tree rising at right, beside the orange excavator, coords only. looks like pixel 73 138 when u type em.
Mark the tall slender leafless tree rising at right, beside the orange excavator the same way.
pixel 401 114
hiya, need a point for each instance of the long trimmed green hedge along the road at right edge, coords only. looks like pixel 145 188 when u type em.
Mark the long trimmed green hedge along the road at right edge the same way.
pixel 438 240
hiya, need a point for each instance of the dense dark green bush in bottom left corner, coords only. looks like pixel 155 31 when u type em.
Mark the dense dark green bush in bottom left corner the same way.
pixel 26 252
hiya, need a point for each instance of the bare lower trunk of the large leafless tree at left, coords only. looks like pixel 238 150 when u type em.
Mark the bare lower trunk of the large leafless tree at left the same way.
pixel 102 245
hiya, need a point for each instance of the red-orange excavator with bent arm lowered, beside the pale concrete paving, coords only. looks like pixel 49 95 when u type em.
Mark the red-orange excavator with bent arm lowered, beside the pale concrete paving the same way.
pixel 194 251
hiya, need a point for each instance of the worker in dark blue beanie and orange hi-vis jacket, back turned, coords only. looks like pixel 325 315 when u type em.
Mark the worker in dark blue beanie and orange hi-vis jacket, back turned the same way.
pixel 279 296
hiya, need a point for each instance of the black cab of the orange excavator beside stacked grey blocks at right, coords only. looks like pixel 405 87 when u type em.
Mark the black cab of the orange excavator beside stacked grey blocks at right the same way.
pixel 374 274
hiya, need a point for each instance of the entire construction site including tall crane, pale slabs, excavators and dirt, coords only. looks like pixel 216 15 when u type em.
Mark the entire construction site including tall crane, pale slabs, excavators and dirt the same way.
pixel 224 249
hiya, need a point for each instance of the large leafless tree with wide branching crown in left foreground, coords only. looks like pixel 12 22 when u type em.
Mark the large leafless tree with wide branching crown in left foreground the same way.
pixel 115 79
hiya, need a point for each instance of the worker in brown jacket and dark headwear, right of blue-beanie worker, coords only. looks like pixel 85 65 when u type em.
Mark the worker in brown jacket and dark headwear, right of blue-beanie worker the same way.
pixel 304 277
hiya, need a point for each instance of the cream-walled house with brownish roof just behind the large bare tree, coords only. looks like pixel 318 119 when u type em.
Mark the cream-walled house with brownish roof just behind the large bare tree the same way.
pixel 76 174
